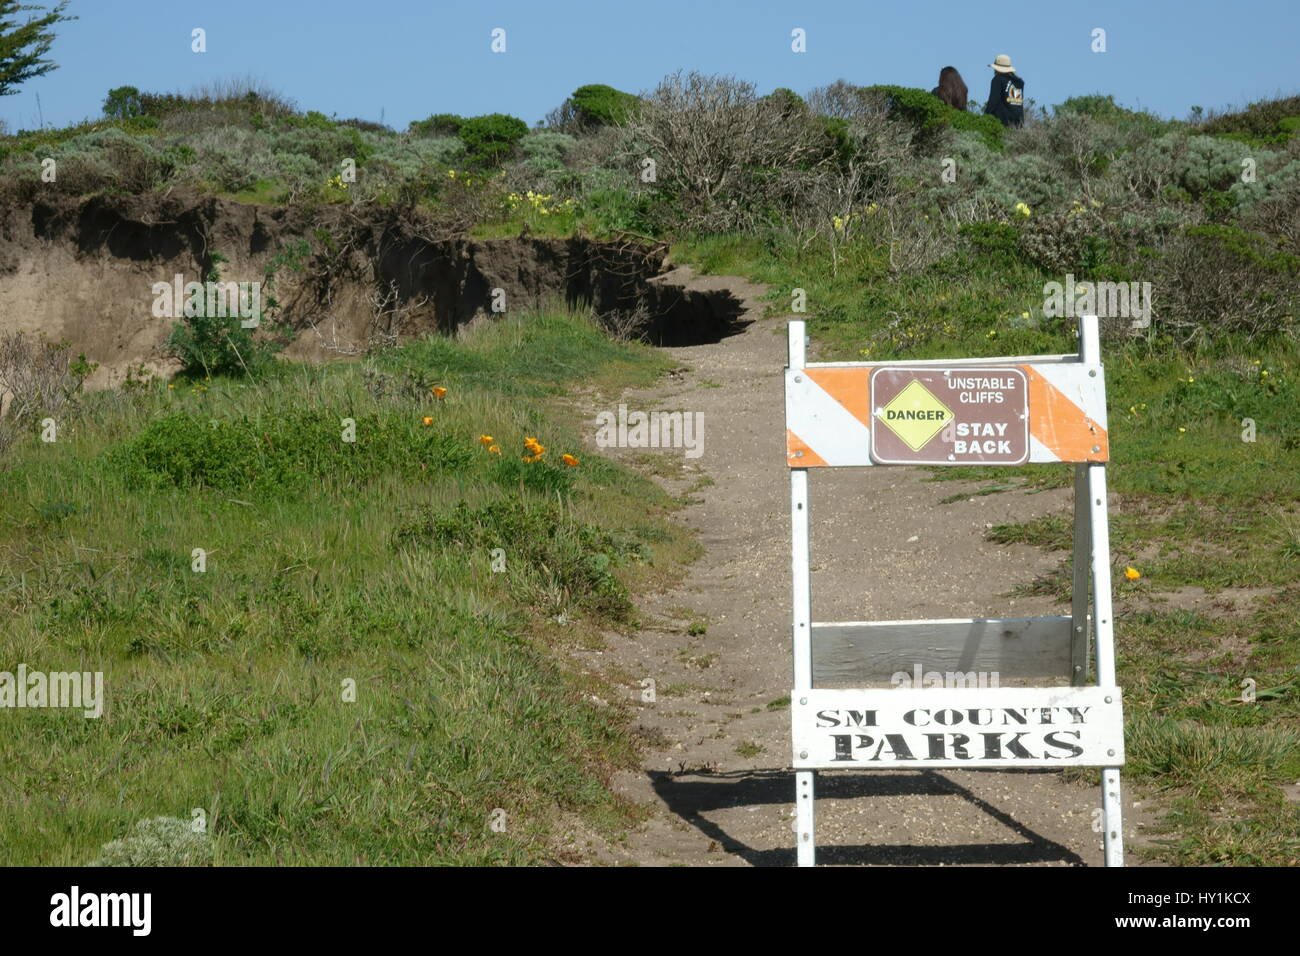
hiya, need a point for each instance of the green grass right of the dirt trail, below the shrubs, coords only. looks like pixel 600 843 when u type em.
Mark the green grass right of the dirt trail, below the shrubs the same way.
pixel 1206 451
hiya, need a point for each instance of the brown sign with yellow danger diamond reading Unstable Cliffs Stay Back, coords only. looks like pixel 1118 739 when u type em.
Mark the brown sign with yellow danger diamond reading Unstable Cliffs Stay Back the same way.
pixel 950 417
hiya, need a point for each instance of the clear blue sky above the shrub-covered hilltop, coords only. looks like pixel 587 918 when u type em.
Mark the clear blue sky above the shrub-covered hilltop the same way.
pixel 409 59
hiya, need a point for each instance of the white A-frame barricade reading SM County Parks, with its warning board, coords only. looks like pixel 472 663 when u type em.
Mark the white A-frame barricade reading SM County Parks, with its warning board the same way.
pixel 967 412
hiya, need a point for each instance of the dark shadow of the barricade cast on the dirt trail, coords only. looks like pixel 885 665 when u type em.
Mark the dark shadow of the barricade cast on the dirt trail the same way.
pixel 695 797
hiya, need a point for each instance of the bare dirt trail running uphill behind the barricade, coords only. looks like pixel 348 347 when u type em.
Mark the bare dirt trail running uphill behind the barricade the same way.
pixel 716 777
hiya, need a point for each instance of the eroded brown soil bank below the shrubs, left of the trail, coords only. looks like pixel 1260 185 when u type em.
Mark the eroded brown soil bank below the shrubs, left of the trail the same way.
pixel 84 271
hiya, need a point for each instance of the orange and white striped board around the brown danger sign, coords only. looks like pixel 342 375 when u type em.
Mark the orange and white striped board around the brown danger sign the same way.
pixel 829 414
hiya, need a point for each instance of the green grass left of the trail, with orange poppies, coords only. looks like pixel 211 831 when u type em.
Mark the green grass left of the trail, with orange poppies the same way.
pixel 349 678
